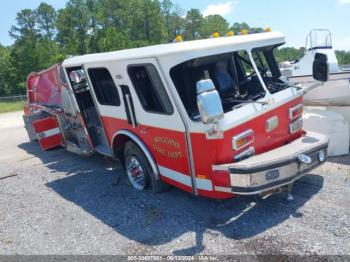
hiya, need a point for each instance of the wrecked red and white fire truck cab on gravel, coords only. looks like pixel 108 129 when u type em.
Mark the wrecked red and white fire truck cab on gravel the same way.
pixel 213 117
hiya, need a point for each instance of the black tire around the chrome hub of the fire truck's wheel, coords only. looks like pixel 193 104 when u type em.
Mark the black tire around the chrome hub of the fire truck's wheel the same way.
pixel 132 151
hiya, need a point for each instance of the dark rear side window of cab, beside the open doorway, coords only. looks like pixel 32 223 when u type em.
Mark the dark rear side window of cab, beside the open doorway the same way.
pixel 104 87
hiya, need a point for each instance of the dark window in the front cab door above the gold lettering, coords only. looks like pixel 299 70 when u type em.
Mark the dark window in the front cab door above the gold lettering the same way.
pixel 150 89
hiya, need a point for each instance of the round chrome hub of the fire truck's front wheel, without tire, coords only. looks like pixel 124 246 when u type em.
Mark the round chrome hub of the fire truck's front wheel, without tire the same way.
pixel 136 173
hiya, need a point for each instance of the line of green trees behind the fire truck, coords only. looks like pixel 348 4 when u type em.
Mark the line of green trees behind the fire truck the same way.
pixel 45 36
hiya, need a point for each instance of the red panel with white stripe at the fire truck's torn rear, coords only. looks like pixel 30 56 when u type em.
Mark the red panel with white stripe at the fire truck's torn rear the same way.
pixel 48 133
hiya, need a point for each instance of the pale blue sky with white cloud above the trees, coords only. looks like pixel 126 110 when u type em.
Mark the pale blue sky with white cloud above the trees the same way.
pixel 294 18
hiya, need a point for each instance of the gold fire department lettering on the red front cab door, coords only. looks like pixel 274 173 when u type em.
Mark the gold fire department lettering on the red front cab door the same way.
pixel 160 145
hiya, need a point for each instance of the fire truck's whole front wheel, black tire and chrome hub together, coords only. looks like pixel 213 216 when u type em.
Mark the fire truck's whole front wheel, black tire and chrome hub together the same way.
pixel 139 170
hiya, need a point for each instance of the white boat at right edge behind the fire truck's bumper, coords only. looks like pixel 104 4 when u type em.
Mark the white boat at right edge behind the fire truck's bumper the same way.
pixel 327 108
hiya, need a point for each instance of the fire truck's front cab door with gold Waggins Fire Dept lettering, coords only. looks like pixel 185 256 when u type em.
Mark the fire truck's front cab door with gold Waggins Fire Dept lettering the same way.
pixel 157 120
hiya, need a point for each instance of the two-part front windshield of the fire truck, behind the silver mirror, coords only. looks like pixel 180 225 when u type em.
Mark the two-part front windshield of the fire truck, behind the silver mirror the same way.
pixel 233 76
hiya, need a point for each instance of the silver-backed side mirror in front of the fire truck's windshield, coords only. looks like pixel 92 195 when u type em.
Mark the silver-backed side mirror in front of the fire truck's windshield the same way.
pixel 209 102
